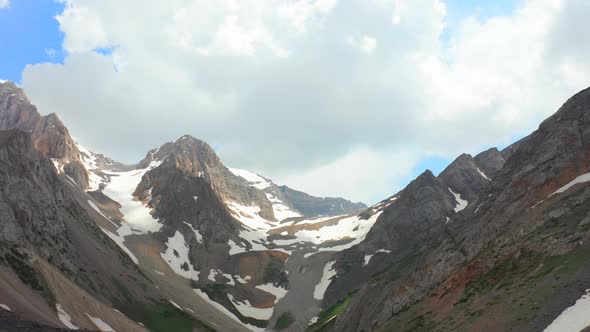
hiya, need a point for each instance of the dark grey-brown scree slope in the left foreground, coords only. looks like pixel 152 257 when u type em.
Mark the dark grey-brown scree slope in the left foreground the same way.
pixel 51 249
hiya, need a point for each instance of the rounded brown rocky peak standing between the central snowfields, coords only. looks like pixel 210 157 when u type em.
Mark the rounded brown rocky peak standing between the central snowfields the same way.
pixel 188 191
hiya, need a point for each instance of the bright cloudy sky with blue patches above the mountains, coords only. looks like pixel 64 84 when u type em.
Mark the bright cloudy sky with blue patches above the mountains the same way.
pixel 335 97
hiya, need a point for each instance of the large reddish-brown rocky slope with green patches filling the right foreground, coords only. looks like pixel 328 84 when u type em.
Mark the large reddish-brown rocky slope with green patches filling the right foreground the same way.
pixel 512 259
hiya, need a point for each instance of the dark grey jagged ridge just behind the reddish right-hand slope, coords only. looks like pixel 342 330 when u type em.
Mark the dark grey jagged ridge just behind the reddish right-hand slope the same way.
pixel 414 217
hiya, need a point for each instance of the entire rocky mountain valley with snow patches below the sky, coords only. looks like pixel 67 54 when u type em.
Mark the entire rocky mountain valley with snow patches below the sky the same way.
pixel 499 241
